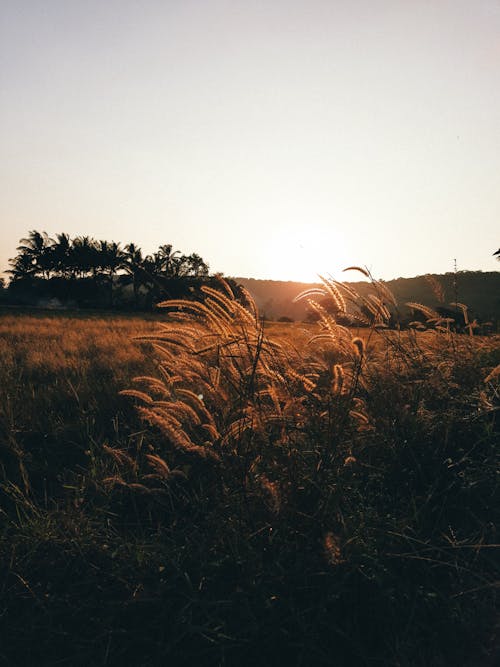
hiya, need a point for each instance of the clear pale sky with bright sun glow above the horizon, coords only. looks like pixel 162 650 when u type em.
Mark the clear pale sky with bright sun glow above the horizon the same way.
pixel 277 139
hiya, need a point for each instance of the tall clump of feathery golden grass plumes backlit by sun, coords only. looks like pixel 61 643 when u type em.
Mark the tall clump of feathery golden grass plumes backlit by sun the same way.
pixel 230 385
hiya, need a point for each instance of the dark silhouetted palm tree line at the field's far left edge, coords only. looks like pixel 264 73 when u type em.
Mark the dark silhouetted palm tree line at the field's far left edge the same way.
pixel 83 271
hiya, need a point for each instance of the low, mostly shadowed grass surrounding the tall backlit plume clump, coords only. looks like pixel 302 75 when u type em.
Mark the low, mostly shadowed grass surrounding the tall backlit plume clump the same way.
pixel 376 547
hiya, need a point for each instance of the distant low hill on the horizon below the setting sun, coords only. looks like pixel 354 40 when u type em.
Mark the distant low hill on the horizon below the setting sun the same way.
pixel 479 291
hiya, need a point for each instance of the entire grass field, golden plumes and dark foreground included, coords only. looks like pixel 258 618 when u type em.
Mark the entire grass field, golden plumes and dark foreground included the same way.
pixel 254 499
